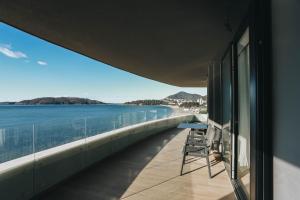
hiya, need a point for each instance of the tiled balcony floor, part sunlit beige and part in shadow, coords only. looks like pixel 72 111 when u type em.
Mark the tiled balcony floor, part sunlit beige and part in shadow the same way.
pixel 147 170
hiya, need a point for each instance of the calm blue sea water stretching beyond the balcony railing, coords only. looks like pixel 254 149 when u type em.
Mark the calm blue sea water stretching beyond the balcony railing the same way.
pixel 28 129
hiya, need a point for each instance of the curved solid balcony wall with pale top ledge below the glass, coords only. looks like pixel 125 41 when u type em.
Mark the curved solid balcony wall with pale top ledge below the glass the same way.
pixel 30 175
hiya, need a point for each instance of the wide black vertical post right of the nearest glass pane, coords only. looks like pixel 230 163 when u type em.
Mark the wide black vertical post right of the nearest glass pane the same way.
pixel 261 105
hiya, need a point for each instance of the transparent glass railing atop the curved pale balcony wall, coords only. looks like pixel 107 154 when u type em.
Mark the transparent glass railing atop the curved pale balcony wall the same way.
pixel 20 140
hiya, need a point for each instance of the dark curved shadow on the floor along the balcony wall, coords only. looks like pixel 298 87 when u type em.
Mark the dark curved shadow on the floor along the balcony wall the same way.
pixel 110 178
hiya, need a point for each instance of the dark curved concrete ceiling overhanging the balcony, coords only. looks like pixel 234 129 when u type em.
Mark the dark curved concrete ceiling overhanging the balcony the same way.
pixel 168 41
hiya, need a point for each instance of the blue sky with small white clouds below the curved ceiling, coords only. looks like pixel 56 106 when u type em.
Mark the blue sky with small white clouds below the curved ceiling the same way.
pixel 31 68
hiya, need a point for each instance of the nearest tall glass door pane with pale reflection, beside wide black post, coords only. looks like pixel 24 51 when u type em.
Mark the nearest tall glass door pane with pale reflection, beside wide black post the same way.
pixel 243 143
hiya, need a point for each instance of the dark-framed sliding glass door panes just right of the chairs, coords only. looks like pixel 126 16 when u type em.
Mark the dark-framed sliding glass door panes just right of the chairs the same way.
pixel 235 101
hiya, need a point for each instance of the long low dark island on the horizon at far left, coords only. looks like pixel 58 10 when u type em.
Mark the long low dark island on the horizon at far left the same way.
pixel 56 100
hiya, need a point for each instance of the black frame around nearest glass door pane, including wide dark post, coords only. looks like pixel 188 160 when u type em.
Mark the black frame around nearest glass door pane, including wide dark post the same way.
pixel 261 163
